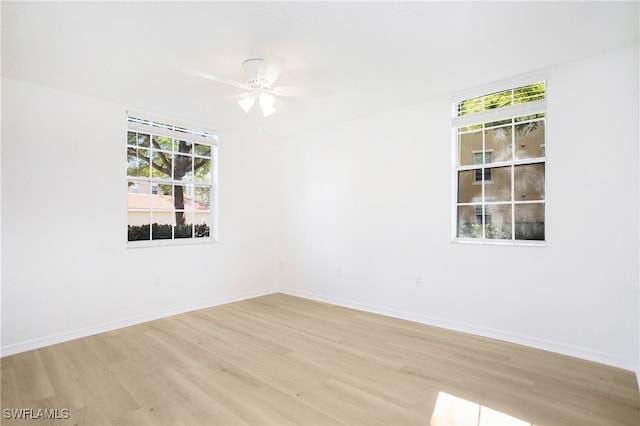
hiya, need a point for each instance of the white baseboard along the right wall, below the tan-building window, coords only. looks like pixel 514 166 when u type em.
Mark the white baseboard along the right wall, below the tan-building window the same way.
pixel 532 342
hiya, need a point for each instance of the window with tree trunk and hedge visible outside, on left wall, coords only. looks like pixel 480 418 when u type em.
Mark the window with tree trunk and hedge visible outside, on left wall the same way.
pixel 171 184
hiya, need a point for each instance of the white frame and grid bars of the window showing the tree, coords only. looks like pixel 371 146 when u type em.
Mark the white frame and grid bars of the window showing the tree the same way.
pixel 154 125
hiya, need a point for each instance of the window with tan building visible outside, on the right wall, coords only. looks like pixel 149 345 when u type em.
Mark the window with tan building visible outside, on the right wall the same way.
pixel 500 166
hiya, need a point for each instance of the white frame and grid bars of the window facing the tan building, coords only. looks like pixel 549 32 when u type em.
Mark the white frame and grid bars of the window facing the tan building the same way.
pixel 489 116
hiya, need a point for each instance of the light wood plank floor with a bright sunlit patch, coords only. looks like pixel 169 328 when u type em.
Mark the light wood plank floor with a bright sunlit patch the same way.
pixel 284 360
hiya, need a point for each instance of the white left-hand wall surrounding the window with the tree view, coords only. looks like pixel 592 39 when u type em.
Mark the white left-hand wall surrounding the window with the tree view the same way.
pixel 66 271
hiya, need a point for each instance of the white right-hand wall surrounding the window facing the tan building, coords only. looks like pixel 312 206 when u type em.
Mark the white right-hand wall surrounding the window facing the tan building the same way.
pixel 367 209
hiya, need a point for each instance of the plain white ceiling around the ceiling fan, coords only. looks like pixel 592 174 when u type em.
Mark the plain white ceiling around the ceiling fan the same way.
pixel 374 55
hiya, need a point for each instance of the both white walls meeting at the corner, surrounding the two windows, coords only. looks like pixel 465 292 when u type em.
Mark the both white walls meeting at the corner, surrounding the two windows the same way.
pixel 365 209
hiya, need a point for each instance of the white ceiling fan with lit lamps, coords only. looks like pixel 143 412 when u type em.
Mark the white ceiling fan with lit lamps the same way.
pixel 260 77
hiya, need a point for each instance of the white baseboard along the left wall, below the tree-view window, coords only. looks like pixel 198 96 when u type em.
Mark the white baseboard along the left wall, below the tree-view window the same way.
pixel 114 325
